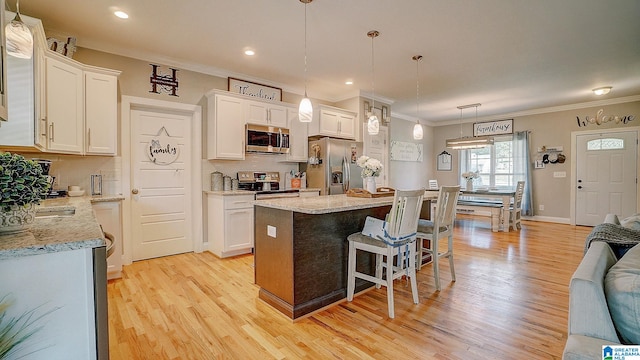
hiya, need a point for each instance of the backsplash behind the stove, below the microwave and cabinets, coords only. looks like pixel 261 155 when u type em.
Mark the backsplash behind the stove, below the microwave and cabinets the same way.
pixel 252 162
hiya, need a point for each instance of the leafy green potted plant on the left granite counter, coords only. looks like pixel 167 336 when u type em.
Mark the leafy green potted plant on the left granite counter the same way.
pixel 22 186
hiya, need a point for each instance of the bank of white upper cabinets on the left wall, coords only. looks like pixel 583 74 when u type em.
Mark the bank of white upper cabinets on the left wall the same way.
pixel 60 105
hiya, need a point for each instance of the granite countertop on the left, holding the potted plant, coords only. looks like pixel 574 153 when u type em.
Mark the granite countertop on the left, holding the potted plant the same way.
pixel 58 233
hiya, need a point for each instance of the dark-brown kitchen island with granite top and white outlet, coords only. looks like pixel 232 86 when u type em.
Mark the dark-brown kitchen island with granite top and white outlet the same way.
pixel 301 249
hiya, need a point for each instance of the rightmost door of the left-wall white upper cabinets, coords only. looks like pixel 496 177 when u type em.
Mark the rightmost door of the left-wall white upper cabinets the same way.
pixel 100 113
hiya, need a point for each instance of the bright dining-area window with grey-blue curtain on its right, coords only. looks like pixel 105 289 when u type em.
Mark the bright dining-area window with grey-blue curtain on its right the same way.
pixel 502 165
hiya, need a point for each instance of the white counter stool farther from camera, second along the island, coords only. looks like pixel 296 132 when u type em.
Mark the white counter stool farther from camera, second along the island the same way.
pixel 440 227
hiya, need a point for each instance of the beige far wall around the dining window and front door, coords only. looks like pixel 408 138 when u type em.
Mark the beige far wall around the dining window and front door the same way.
pixel 548 129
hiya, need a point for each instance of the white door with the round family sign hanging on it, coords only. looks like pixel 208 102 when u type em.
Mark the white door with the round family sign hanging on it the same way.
pixel 161 201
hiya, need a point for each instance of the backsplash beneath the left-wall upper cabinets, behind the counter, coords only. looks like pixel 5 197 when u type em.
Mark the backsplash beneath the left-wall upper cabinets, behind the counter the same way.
pixel 77 170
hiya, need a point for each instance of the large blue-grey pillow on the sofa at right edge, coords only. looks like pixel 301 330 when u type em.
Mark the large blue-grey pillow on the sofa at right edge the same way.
pixel 622 290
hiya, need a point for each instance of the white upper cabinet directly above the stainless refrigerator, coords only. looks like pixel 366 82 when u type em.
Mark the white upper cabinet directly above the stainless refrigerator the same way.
pixel 335 122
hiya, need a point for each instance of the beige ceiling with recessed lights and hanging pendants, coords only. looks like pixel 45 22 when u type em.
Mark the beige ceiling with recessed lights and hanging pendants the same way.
pixel 509 55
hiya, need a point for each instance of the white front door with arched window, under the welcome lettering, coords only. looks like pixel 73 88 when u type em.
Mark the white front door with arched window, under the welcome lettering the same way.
pixel 606 172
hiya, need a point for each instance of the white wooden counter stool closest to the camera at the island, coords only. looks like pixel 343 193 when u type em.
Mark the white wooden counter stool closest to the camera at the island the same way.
pixel 396 239
